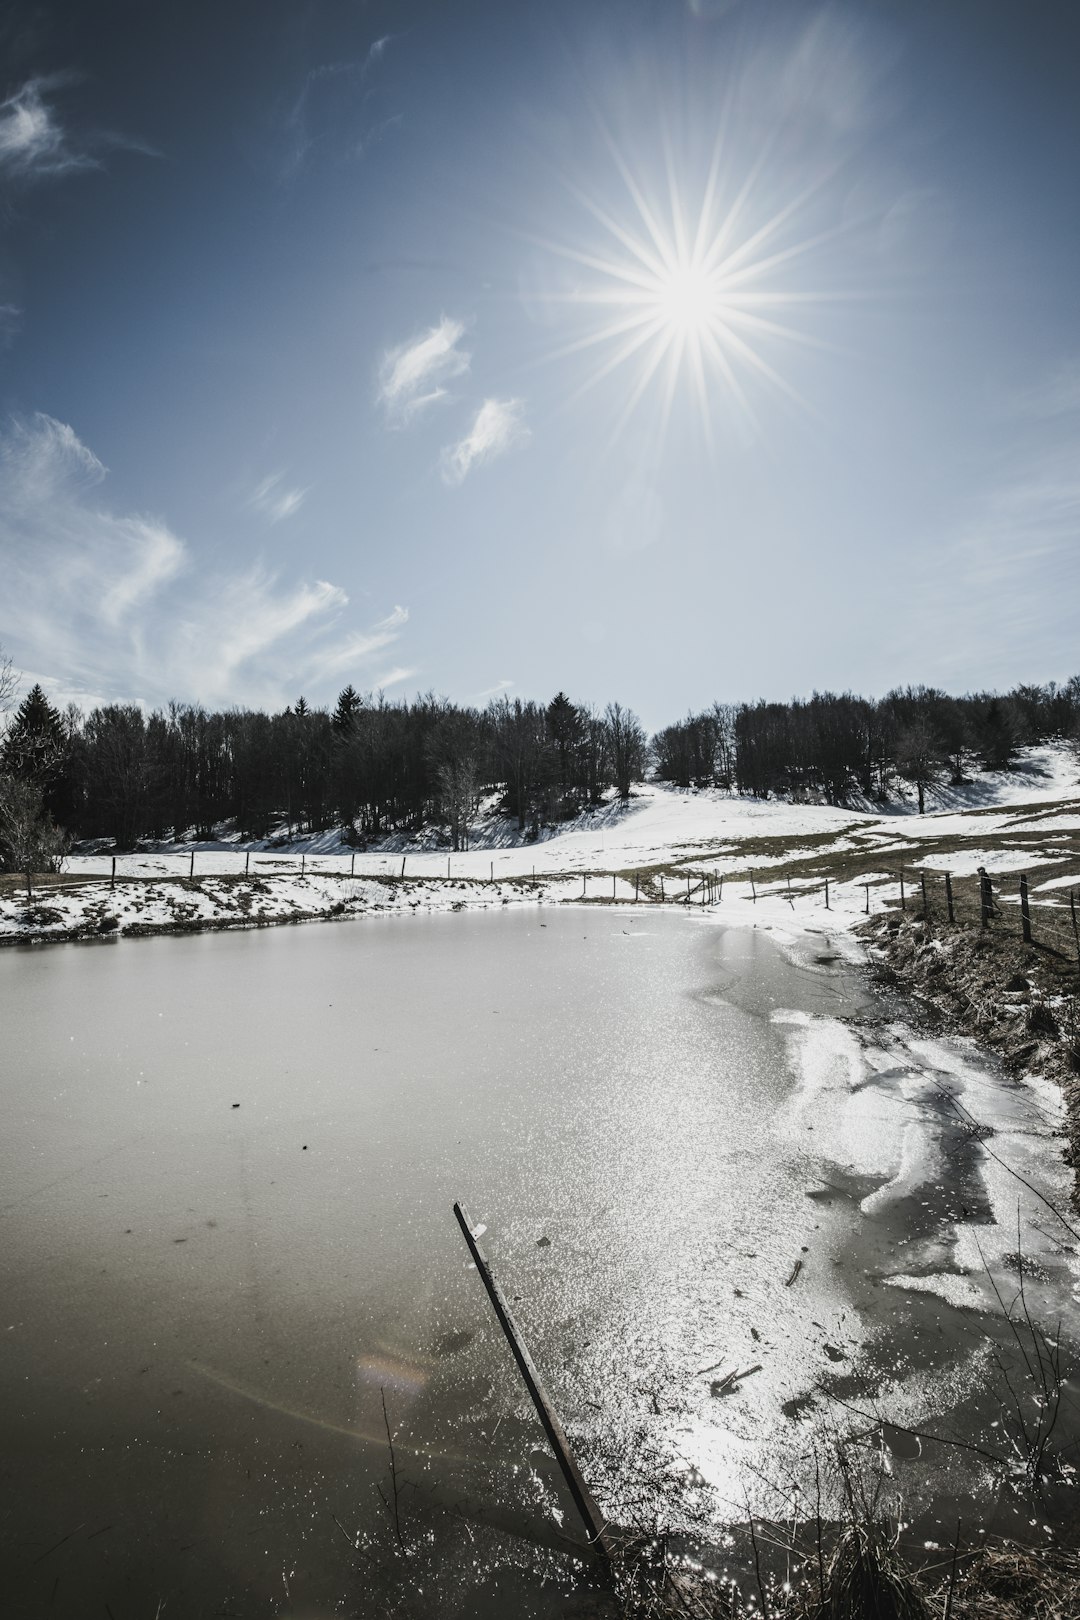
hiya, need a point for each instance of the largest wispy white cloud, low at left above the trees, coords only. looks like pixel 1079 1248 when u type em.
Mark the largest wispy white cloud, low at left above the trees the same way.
pixel 116 605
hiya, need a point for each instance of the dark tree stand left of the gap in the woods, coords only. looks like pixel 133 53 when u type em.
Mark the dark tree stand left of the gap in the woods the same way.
pixel 370 767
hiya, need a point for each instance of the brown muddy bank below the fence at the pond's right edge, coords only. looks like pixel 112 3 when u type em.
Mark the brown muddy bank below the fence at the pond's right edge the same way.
pixel 1019 1000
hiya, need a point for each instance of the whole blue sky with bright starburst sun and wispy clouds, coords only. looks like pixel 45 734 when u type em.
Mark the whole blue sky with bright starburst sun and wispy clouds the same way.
pixel 657 352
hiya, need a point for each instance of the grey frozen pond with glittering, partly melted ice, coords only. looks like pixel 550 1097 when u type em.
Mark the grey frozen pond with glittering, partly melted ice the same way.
pixel 226 1185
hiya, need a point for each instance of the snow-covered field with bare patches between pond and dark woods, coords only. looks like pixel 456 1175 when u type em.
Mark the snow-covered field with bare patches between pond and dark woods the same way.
pixel 665 846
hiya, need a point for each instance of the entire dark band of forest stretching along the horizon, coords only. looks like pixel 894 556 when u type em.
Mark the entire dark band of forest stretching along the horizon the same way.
pixel 373 767
